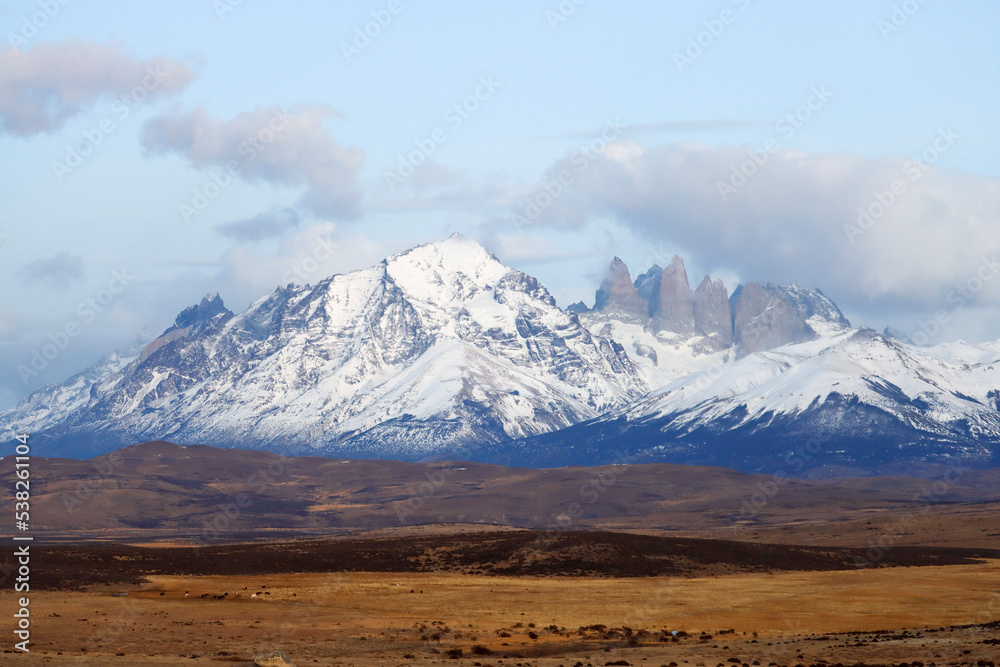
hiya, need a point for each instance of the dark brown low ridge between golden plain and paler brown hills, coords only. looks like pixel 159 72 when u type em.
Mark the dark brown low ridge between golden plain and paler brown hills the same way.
pixel 491 553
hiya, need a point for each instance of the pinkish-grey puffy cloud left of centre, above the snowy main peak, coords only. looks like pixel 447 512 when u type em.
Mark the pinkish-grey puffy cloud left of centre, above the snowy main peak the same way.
pixel 269 144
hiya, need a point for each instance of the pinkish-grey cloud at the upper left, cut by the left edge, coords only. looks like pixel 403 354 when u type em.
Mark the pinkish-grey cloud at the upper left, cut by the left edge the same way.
pixel 43 87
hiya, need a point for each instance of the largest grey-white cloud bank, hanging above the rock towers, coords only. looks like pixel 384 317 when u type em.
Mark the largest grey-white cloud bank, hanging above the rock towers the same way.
pixel 797 217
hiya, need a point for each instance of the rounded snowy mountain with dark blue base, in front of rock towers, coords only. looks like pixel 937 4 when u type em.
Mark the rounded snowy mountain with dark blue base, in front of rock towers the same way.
pixel 854 402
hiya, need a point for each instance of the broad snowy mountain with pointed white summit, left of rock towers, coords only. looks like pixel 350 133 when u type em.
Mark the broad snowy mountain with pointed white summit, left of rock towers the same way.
pixel 434 350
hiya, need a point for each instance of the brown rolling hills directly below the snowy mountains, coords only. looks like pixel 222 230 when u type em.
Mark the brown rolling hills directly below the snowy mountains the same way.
pixel 210 495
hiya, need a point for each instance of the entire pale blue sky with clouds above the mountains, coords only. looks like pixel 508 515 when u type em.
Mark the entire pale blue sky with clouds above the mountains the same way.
pixel 835 100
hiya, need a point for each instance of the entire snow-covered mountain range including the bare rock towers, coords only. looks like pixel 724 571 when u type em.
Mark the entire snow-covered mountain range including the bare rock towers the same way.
pixel 443 352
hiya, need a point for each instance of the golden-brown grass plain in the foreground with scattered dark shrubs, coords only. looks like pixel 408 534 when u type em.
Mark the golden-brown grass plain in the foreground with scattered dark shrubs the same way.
pixel 367 619
